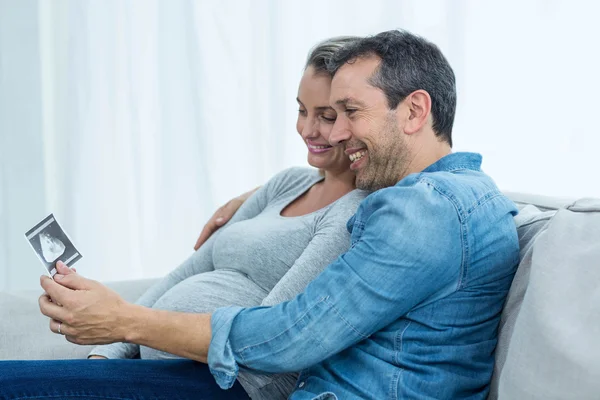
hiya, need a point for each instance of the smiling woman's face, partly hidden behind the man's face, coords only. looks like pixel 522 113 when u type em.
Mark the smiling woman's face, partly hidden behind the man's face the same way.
pixel 315 120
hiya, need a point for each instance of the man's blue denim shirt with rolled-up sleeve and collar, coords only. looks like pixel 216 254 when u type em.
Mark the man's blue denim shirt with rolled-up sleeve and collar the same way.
pixel 410 311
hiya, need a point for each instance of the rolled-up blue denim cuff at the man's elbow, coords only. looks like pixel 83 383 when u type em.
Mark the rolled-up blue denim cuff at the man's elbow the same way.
pixel 221 360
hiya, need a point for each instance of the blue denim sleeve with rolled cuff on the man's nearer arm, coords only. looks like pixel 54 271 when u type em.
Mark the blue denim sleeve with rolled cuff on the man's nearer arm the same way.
pixel 410 253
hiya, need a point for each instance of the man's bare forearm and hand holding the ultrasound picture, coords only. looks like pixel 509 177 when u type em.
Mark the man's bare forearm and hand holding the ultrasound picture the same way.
pixel 90 313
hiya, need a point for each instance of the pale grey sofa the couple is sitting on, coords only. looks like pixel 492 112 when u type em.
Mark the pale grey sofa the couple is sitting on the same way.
pixel 549 334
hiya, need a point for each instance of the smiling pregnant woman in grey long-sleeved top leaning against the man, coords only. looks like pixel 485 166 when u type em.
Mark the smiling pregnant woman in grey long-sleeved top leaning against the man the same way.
pixel 280 239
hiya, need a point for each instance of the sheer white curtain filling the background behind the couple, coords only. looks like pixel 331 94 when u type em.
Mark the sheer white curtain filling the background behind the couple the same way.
pixel 133 120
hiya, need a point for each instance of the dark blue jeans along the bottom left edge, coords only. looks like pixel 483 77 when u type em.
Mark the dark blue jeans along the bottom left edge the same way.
pixel 111 379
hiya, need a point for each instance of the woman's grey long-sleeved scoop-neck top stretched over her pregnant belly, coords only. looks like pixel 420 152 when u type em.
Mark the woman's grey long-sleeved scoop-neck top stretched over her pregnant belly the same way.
pixel 259 258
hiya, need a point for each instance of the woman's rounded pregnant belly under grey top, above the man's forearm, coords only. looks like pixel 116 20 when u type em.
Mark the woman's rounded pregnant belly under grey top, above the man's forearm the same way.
pixel 203 293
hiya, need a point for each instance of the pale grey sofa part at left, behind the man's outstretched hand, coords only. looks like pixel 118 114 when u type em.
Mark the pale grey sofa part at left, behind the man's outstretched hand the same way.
pixel 24 332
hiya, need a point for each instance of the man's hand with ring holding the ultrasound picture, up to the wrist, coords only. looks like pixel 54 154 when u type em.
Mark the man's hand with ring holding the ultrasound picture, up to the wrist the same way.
pixel 89 312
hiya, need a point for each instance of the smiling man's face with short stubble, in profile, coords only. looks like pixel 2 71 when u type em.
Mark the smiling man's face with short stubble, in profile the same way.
pixel 372 133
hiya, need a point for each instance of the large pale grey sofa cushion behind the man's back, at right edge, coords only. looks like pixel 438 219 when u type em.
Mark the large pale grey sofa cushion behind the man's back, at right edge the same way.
pixel 551 323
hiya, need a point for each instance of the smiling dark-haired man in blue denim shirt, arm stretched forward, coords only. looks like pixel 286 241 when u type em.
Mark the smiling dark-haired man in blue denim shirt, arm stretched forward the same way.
pixel 412 309
